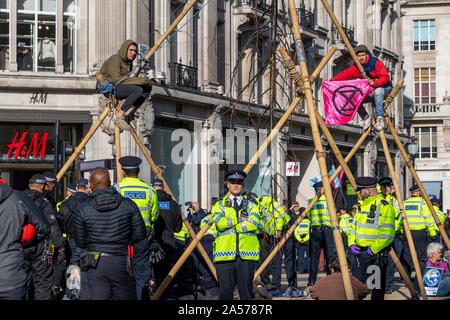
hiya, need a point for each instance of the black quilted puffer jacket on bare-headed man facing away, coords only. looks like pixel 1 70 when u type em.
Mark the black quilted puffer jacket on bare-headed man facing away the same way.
pixel 108 222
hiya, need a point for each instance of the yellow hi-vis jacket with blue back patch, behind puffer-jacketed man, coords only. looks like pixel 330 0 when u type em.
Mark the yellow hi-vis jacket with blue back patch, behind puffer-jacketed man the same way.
pixel 143 195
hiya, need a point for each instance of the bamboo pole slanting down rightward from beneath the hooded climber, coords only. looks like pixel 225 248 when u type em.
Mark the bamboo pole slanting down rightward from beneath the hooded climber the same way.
pixel 157 171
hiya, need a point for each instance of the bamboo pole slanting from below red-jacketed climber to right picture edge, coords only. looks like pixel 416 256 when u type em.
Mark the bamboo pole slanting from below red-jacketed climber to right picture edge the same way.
pixel 416 178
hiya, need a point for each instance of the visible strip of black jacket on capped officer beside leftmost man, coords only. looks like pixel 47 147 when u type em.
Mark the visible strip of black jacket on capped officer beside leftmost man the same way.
pixel 45 205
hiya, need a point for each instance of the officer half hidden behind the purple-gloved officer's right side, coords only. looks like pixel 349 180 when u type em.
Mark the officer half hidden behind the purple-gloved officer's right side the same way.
pixel 386 190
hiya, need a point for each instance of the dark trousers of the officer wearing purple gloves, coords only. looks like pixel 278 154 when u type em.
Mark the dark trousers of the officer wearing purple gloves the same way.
pixel 361 271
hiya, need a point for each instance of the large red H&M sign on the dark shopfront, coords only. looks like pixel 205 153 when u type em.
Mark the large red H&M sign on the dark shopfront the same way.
pixel 23 151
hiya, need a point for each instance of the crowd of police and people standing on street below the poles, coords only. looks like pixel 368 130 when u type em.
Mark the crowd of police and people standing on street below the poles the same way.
pixel 120 241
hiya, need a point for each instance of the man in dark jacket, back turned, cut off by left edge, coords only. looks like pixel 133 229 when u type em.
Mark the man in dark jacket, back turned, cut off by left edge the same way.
pixel 16 212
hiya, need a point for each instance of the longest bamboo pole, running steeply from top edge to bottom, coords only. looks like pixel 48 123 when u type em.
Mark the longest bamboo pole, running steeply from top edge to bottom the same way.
pixel 301 59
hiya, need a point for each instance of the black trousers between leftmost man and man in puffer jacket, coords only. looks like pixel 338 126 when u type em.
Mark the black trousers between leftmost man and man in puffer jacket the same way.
pixel 40 273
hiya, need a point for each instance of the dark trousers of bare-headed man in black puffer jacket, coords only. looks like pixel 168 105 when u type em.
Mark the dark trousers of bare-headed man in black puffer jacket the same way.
pixel 110 280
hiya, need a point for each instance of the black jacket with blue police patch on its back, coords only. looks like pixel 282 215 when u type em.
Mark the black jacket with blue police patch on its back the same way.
pixel 169 220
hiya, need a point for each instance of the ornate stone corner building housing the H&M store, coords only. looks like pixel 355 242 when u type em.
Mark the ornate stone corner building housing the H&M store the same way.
pixel 214 99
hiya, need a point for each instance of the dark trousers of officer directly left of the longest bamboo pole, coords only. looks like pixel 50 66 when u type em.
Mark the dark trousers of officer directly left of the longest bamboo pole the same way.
pixel 320 240
